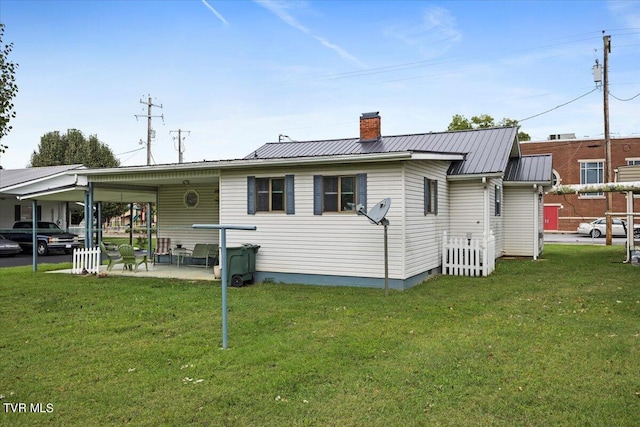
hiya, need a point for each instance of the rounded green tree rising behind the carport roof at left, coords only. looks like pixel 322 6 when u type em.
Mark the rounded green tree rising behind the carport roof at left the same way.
pixel 74 148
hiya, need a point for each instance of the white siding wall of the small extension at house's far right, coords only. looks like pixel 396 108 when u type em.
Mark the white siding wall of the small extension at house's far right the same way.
pixel 519 220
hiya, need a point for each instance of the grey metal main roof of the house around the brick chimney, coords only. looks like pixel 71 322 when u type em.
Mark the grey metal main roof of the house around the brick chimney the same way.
pixel 485 150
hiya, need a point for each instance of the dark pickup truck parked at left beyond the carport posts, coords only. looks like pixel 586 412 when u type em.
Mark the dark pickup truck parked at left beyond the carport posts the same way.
pixel 50 237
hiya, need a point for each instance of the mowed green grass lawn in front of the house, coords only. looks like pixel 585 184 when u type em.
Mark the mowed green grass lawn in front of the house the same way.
pixel 553 342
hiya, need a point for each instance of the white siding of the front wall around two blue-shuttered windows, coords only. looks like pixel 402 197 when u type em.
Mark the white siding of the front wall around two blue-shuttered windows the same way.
pixel 329 244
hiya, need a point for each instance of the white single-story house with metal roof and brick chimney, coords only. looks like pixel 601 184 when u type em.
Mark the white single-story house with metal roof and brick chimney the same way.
pixel 303 198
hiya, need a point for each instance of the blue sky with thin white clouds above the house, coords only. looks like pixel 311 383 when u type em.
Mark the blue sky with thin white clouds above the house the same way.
pixel 236 74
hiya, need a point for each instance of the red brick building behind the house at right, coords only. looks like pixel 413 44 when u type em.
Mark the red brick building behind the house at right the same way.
pixel 581 161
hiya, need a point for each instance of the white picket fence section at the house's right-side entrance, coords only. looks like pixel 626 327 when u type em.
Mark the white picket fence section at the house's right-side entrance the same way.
pixel 462 256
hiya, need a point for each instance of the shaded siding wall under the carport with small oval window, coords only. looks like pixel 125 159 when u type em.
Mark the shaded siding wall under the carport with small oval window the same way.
pixel 175 219
